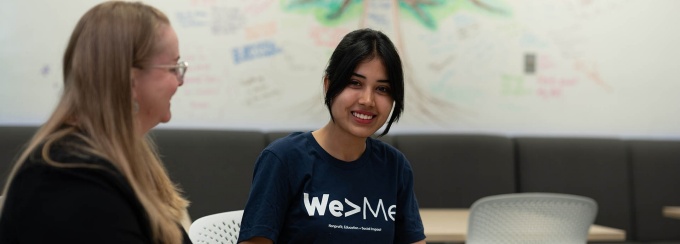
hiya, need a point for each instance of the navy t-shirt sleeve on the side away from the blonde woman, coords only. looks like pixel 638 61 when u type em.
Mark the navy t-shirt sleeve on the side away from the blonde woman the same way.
pixel 409 226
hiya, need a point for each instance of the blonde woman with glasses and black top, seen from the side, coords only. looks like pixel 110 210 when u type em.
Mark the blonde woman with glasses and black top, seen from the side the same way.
pixel 90 174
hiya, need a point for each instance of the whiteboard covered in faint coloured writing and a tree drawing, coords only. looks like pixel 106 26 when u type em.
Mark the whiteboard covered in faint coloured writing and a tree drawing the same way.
pixel 513 67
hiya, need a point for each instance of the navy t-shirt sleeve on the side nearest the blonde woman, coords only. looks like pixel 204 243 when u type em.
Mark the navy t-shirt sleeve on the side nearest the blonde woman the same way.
pixel 269 199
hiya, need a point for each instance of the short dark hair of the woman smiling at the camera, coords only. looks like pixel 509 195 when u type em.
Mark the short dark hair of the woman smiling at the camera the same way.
pixel 356 47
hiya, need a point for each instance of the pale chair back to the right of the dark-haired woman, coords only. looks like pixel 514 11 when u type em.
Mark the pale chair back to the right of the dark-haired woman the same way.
pixel 531 218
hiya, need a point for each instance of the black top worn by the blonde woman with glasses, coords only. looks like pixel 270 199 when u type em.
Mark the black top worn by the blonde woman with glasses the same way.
pixel 47 204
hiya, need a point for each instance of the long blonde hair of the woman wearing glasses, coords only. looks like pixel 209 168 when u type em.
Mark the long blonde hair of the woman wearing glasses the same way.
pixel 97 106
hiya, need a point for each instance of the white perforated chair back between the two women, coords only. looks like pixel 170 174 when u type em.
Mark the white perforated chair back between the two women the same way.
pixel 216 228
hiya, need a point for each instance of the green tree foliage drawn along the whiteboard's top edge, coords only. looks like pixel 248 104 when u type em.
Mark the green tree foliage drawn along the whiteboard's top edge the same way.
pixel 427 12
